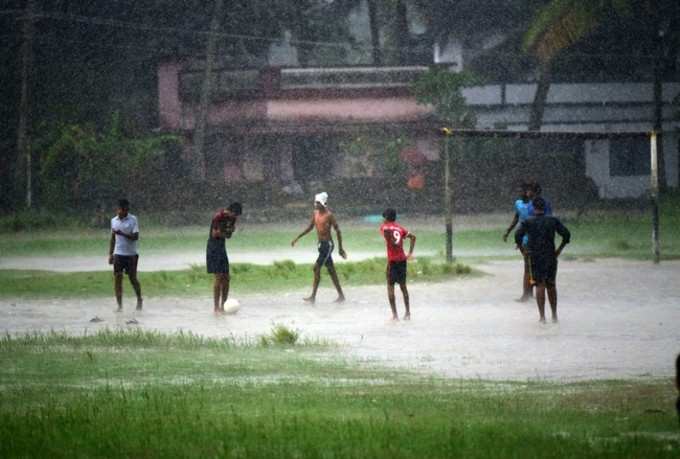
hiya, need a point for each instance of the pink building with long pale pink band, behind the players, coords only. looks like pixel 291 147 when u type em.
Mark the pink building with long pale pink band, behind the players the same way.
pixel 293 125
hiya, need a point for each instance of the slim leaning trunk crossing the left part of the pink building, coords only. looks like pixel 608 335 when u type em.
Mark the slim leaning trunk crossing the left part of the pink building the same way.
pixel 198 168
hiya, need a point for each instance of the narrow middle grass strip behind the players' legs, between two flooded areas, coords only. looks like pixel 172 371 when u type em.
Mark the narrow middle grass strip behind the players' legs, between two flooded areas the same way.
pixel 282 275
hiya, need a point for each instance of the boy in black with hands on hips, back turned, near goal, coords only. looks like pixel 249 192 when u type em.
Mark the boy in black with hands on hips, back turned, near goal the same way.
pixel 541 245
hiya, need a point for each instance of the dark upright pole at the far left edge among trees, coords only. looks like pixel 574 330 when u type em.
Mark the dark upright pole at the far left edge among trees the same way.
pixel 24 152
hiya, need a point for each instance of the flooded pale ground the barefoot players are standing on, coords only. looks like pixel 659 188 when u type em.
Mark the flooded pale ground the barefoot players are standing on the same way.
pixel 618 319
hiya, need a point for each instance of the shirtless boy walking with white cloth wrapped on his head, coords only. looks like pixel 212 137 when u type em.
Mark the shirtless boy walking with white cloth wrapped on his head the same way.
pixel 323 220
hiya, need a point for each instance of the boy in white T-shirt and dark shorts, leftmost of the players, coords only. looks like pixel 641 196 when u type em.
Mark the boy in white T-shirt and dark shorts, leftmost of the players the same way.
pixel 123 251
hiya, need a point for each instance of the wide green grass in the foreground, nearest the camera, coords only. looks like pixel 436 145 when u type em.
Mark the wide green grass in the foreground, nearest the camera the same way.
pixel 142 394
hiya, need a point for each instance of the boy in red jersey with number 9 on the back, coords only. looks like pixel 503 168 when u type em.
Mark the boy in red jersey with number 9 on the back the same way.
pixel 394 235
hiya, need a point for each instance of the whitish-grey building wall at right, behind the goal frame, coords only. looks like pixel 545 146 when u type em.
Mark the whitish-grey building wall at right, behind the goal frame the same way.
pixel 591 107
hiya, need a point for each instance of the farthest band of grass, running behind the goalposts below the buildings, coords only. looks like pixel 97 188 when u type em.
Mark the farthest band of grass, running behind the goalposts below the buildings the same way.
pixel 599 233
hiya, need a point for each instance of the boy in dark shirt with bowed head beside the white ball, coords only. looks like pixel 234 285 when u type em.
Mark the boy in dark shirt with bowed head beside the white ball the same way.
pixel 221 228
